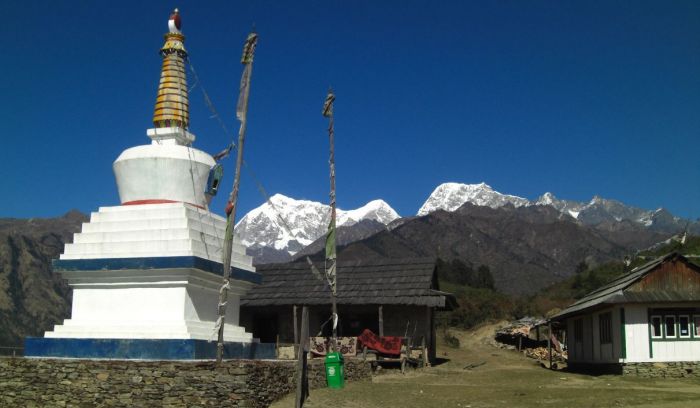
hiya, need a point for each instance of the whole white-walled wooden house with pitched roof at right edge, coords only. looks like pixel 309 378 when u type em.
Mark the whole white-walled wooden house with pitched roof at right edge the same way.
pixel 650 315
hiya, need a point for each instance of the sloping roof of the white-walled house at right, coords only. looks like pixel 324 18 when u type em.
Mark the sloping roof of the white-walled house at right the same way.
pixel 616 291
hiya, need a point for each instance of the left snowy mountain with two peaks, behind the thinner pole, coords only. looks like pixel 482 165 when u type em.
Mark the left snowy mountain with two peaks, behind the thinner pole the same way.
pixel 289 225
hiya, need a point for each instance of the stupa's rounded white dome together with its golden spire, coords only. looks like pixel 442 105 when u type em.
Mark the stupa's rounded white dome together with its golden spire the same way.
pixel 169 169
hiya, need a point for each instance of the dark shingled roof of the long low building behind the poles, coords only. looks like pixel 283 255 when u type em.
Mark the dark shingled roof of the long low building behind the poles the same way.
pixel 383 282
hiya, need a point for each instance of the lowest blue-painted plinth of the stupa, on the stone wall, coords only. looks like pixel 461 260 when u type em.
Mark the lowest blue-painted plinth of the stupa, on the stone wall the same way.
pixel 143 349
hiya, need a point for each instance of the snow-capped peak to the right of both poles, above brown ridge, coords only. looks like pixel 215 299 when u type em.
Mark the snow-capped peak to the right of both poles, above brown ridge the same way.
pixel 451 196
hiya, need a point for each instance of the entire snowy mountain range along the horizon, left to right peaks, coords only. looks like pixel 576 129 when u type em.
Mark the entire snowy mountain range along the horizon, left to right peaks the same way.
pixel 283 226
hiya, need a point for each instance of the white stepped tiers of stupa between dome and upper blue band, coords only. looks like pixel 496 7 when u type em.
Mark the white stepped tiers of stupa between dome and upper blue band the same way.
pixel 154 230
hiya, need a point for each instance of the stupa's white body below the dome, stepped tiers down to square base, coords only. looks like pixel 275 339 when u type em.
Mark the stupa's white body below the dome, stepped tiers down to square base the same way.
pixel 151 272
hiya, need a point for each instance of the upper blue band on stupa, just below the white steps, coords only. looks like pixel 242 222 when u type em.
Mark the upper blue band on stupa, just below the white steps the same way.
pixel 162 262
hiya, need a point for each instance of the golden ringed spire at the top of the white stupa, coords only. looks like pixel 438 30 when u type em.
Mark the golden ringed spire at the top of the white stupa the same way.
pixel 172 104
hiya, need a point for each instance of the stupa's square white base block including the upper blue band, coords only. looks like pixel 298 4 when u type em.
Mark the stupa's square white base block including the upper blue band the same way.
pixel 150 298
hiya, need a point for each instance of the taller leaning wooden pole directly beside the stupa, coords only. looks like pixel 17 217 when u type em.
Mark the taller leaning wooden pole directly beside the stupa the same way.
pixel 242 110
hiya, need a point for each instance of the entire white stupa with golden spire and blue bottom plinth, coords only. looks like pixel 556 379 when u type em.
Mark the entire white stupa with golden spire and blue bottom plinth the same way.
pixel 150 268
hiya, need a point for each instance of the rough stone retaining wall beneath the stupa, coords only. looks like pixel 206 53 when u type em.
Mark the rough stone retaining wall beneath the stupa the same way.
pixel 26 382
